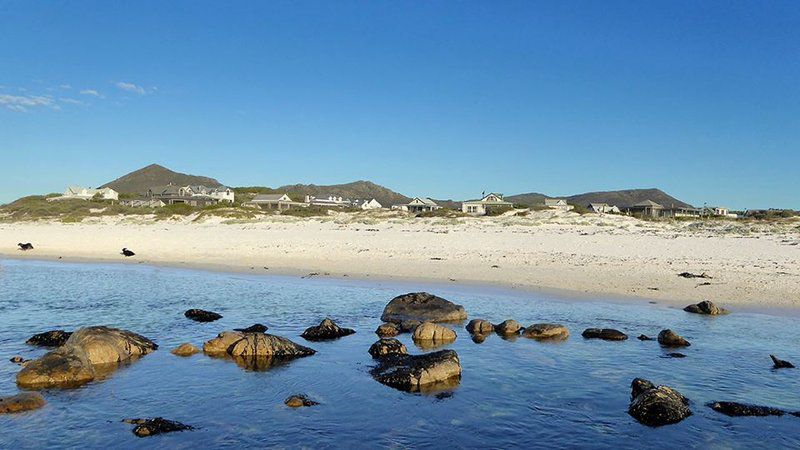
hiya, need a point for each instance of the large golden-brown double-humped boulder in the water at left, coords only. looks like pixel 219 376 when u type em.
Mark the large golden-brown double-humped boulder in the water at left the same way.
pixel 89 353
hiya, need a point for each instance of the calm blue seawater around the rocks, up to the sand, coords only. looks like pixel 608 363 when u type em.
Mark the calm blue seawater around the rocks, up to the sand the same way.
pixel 512 394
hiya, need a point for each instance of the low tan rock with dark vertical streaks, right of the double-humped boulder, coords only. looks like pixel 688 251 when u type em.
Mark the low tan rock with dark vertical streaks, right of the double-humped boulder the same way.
pixel 234 343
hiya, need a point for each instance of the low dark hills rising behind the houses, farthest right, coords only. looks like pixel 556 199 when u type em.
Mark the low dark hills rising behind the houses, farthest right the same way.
pixel 621 198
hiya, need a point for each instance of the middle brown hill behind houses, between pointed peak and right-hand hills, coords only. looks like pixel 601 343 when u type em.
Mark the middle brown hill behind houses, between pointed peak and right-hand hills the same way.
pixel 354 190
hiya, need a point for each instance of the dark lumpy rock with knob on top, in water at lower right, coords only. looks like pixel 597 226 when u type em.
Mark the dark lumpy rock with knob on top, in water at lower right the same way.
pixel 657 405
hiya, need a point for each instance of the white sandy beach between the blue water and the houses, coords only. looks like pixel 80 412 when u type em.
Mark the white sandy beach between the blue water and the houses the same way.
pixel 750 264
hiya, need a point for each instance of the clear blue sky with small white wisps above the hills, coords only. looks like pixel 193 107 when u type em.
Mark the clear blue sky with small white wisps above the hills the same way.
pixel 435 98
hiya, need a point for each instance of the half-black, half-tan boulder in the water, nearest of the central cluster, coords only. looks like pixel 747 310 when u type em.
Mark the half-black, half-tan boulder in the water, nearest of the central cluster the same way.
pixel 419 372
